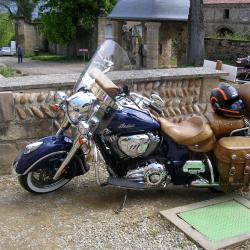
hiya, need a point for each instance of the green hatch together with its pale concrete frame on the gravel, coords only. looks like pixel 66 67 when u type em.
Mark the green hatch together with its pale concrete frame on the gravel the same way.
pixel 215 223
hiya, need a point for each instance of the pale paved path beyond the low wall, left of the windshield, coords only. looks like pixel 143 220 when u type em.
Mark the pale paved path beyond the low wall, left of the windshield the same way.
pixel 33 67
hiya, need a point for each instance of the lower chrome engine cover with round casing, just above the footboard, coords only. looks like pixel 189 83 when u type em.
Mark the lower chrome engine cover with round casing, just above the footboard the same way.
pixel 153 174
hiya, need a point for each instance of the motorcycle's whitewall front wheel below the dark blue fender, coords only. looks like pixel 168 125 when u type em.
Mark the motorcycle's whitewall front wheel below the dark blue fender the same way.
pixel 41 181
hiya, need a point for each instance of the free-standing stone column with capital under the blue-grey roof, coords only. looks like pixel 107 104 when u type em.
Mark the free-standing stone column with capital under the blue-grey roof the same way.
pixel 152 44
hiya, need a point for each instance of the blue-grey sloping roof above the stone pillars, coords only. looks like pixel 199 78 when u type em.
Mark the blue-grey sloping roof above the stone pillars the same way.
pixel 153 10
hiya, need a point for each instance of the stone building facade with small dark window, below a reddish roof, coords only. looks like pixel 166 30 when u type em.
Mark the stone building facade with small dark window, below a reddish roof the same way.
pixel 223 16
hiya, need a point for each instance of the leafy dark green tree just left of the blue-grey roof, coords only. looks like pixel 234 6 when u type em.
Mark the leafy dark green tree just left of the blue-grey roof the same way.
pixel 63 20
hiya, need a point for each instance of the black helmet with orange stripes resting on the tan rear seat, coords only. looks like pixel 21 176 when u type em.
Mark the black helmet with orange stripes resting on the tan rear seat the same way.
pixel 225 101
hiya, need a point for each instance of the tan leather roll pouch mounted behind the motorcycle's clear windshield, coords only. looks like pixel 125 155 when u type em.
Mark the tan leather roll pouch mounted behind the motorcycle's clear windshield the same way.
pixel 104 82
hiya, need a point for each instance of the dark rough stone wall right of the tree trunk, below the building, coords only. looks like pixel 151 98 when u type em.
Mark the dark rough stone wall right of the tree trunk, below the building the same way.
pixel 219 49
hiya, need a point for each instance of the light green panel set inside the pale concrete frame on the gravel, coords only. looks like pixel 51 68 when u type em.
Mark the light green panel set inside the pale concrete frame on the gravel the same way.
pixel 220 221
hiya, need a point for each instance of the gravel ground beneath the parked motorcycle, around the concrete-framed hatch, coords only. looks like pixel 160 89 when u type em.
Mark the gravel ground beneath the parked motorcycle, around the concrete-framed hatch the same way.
pixel 82 216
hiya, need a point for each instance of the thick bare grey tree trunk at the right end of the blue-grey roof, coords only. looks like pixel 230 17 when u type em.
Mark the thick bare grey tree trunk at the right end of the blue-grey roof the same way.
pixel 196 33
